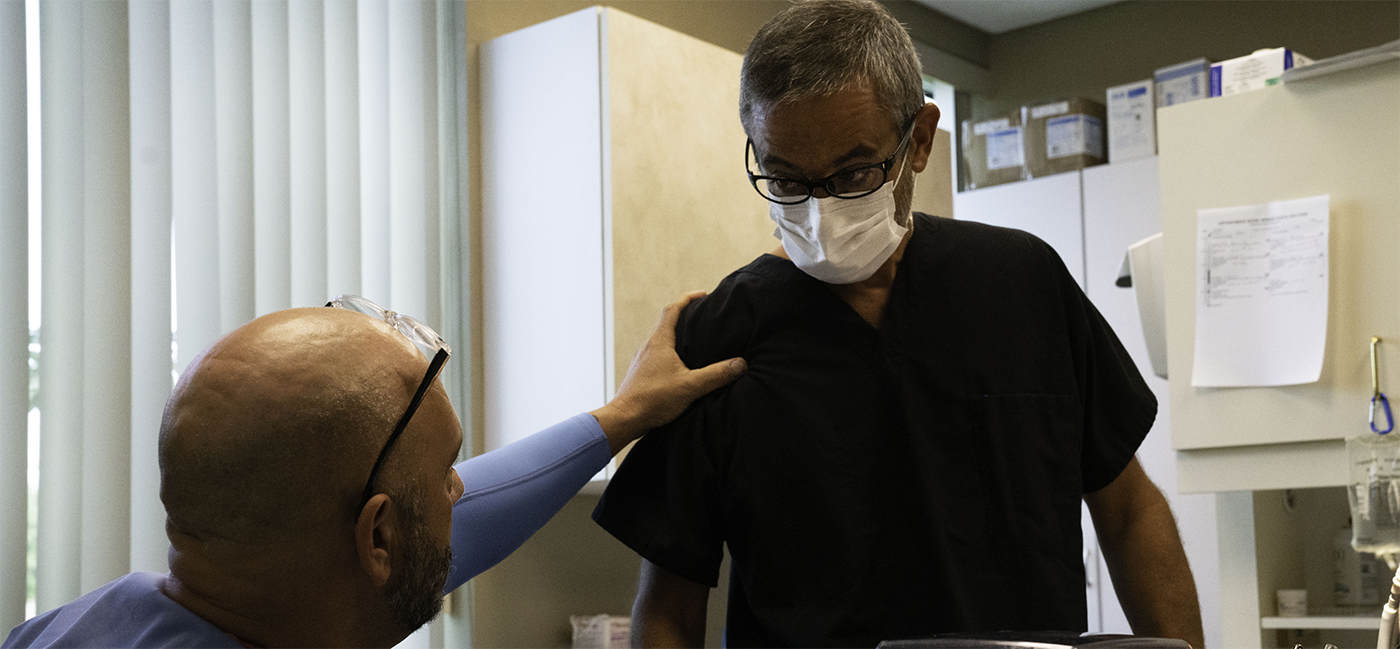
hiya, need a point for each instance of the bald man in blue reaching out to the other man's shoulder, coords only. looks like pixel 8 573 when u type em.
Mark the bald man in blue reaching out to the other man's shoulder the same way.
pixel 265 451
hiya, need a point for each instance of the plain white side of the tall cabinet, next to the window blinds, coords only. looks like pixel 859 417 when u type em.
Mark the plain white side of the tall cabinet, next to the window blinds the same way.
pixel 542 258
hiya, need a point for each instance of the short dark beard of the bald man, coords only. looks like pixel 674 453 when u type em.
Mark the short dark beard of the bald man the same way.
pixel 416 595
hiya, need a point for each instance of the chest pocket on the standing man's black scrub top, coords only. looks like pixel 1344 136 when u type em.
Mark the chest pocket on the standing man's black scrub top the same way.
pixel 1028 448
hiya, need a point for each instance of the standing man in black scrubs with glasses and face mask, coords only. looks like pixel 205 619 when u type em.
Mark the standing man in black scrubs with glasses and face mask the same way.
pixel 926 406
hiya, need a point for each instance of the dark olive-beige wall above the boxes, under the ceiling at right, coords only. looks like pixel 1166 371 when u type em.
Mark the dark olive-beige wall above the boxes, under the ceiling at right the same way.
pixel 1084 55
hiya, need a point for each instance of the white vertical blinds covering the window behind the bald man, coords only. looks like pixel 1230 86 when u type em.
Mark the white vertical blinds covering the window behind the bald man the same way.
pixel 226 157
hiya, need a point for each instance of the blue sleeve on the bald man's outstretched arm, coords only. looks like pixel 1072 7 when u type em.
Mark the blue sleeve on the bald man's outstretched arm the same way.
pixel 513 492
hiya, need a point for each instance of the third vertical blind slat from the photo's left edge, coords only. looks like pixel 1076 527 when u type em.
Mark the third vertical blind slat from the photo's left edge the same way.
pixel 107 306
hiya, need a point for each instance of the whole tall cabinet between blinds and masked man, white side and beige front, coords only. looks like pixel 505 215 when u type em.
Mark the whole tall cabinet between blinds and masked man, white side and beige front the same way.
pixel 611 185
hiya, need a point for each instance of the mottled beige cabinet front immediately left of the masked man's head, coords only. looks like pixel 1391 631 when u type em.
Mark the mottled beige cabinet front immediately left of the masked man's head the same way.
pixel 684 215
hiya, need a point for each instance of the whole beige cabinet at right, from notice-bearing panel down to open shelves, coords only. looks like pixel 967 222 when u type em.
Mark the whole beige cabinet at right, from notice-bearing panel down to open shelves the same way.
pixel 1333 135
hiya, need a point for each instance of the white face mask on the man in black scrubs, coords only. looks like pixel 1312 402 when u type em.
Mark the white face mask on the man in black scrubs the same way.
pixel 841 241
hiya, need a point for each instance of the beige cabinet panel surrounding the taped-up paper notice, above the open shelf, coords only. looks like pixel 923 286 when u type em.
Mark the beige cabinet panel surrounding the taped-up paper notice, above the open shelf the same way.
pixel 1333 136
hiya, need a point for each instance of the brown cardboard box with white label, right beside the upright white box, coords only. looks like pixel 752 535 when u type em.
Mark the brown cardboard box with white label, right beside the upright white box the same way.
pixel 1065 136
